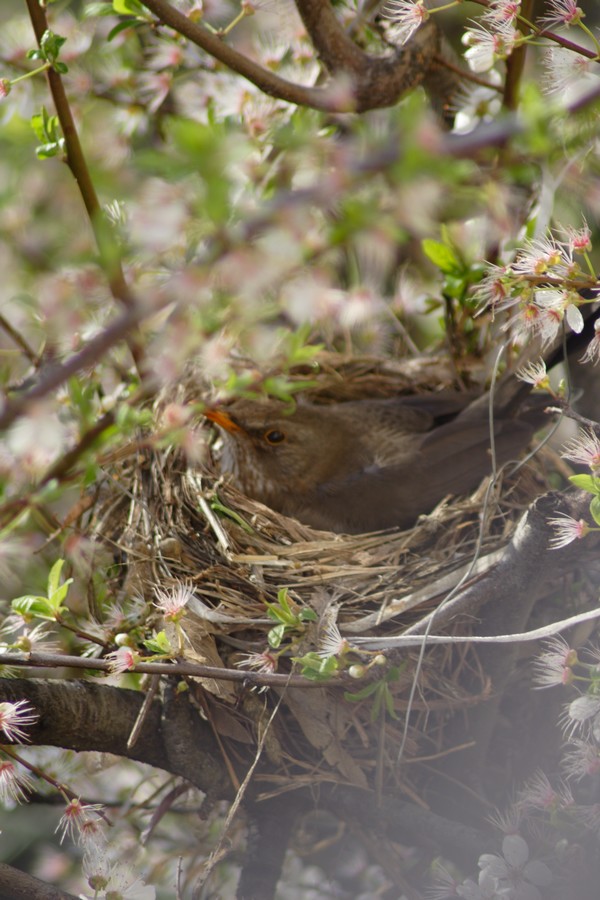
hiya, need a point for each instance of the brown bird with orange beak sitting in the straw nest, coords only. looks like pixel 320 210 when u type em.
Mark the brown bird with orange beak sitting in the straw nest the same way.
pixel 367 465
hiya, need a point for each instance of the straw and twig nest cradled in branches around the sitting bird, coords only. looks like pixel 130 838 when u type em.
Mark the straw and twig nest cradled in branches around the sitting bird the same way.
pixel 168 521
